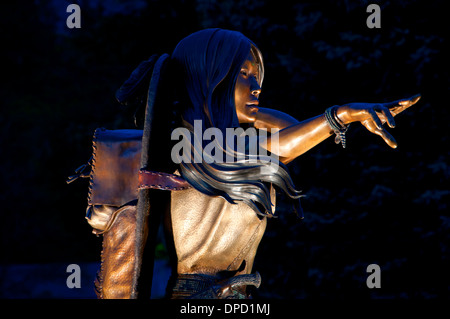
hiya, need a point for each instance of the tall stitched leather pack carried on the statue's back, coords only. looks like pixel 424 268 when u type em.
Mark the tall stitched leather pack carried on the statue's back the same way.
pixel 125 177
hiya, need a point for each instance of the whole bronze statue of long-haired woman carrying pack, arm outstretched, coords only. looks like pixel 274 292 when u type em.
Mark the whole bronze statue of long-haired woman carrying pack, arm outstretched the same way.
pixel 214 212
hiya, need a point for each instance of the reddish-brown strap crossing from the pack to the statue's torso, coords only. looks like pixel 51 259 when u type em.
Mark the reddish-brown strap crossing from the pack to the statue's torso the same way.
pixel 159 180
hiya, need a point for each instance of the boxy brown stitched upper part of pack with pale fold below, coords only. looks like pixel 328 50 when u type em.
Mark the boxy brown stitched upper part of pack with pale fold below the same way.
pixel 114 178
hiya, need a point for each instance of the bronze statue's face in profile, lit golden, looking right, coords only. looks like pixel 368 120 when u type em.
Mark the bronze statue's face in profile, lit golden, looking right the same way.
pixel 247 91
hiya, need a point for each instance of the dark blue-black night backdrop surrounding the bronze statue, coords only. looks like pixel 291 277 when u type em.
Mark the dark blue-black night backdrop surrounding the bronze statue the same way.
pixel 365 204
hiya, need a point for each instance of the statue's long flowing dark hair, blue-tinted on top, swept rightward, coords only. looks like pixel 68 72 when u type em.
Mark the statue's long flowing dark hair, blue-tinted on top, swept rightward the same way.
pixel 204 68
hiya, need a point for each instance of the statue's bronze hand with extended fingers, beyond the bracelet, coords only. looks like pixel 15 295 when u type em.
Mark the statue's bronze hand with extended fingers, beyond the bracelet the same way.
pixel 374 115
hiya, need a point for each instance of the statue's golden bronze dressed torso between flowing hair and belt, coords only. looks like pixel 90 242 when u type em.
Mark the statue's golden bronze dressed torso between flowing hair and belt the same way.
pixel 213 235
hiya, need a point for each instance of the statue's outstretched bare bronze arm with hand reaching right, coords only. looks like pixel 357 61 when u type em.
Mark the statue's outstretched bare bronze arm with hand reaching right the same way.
pixel 295 138
